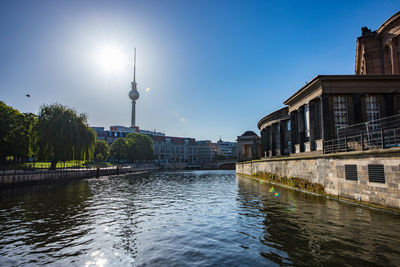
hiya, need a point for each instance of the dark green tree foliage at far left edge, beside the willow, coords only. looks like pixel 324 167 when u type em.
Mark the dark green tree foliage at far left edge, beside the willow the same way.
pixel 14 132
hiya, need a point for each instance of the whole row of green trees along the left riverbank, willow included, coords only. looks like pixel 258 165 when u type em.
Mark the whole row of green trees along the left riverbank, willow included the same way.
pixel 59 133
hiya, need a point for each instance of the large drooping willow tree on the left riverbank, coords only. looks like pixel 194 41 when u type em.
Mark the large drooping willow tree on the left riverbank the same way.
pixel 60 134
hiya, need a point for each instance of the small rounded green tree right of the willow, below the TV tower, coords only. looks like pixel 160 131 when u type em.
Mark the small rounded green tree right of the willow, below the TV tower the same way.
pixel 133 147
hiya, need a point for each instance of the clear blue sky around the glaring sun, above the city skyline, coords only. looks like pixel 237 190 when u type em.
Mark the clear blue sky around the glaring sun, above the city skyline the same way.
pixel 213 68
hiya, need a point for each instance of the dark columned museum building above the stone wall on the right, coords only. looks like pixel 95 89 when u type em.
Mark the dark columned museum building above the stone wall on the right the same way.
pixel 331 108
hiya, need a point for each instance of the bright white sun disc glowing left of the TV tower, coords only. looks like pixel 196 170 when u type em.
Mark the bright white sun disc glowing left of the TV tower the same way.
pixel 110 59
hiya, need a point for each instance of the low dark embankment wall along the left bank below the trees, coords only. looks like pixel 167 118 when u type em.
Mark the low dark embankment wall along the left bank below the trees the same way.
pixel 20 177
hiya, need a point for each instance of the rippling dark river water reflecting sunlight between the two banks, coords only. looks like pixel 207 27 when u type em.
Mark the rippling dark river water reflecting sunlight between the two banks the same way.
pixel 196 218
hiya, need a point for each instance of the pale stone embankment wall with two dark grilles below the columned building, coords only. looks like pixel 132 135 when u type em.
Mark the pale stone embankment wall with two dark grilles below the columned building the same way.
pixel 353 176
